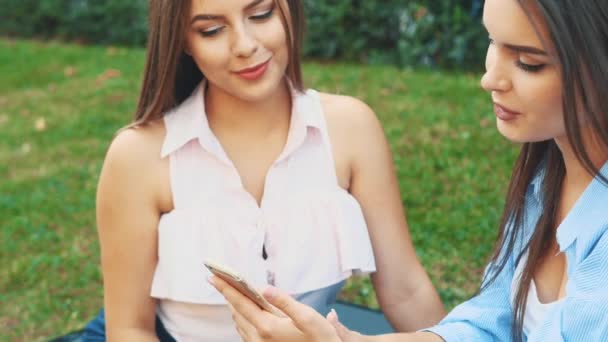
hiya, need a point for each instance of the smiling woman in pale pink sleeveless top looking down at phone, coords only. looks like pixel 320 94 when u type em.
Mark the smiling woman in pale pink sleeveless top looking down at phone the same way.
pixel 230 158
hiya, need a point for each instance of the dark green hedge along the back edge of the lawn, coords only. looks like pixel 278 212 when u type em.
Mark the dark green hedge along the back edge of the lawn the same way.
pixel 445 33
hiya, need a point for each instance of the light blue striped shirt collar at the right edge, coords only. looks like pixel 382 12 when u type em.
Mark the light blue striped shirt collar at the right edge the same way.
pixel 588 214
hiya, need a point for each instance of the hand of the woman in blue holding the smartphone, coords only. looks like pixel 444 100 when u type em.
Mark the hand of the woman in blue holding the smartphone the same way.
pixel 253 324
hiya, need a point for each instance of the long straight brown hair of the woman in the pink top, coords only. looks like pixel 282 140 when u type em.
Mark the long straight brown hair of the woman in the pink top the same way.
pixel 170 75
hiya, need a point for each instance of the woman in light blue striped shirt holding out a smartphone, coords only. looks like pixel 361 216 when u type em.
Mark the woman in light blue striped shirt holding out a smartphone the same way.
pixel 547 73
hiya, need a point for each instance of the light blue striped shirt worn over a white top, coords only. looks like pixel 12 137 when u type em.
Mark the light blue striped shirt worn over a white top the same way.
pixel 583 314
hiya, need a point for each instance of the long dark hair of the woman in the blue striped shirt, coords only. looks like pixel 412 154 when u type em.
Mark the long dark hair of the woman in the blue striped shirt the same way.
pixel 578 35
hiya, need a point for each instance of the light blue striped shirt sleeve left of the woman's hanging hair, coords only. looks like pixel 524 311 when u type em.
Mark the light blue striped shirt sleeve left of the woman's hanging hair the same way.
pixel 485 317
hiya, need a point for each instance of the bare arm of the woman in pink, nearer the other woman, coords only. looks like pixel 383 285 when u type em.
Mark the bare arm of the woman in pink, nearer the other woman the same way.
pixel 404 290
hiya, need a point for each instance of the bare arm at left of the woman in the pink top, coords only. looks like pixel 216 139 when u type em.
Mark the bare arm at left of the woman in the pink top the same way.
pixel 127 219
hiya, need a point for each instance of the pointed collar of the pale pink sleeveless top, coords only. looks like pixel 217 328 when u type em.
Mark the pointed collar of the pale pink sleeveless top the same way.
pixel 188 121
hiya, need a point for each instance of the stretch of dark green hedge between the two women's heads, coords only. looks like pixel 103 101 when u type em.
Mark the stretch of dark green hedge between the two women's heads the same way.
pixel 443 33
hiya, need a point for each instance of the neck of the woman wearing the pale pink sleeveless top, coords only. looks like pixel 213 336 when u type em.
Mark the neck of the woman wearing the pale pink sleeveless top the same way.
pixel 227 113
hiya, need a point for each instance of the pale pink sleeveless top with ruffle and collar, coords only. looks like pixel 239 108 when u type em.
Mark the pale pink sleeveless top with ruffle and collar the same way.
pixel 312 230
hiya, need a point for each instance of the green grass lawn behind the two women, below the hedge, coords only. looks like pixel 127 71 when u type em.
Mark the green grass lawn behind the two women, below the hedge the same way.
pixel 60 105
